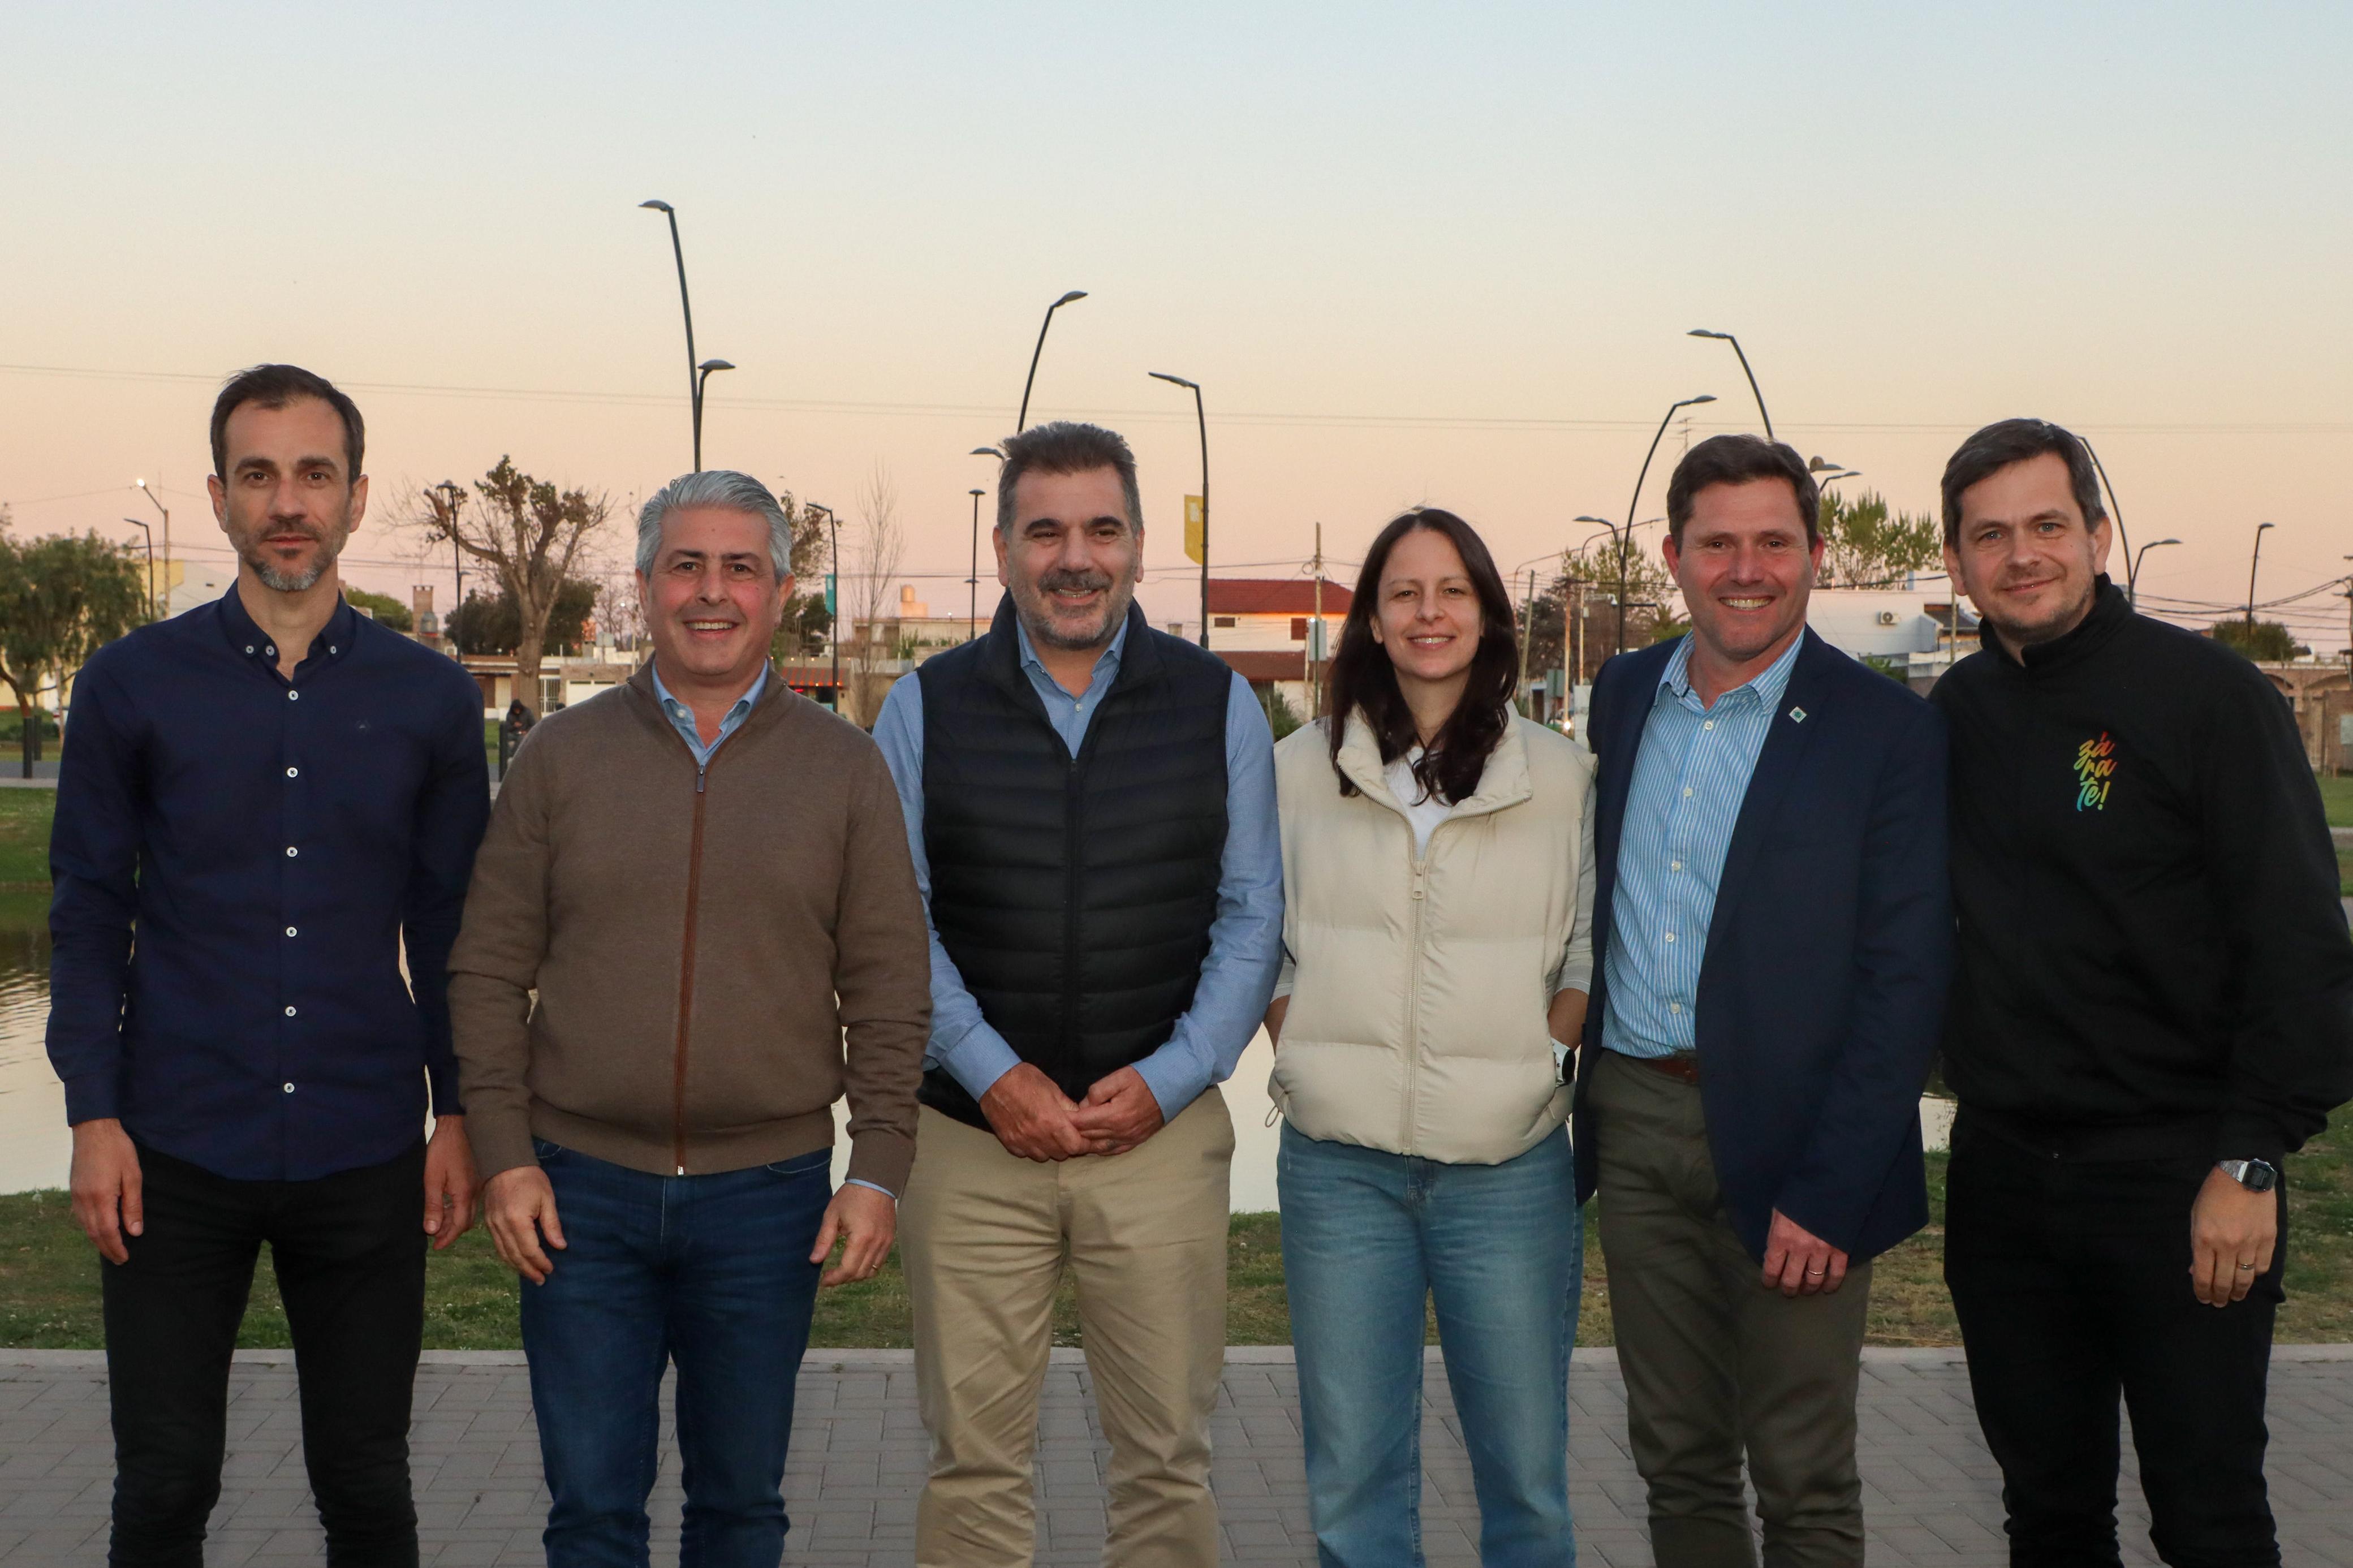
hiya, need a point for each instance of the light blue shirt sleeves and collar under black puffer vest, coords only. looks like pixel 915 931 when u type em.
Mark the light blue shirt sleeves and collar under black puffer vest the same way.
pixel 1246 941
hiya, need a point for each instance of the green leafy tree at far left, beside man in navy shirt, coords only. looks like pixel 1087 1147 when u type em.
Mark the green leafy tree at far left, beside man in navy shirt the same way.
pixel 60 602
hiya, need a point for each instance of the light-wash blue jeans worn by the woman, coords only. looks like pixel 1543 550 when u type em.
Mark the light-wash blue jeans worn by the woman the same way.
pixel 1368 1237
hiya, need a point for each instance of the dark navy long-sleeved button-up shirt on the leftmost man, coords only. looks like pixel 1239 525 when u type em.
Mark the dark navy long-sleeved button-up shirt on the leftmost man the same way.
pixel 272 846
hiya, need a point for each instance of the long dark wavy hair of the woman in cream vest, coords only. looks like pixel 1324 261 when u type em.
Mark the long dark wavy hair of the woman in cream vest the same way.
pixel 1366 682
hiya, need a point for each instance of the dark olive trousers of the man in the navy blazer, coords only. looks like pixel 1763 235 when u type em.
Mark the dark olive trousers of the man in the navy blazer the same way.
pixel 1714 1362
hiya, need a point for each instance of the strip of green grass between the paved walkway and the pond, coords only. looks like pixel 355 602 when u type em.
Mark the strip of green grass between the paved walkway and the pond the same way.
pixel 51 1282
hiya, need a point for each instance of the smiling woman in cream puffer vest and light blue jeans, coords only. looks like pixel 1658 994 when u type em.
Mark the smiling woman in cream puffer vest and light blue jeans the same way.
pixel 1439 896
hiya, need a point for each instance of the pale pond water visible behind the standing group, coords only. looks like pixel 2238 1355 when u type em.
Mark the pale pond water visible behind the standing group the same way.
pixel 36 1145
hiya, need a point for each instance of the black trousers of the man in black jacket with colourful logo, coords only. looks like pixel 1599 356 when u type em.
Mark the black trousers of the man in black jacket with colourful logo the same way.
pixel 2072 1287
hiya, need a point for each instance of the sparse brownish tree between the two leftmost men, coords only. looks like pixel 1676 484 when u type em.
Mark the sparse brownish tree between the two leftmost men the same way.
pixel 528 533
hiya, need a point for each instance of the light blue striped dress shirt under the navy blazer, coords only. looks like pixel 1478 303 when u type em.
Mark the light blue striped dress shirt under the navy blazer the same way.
pixel 1681 806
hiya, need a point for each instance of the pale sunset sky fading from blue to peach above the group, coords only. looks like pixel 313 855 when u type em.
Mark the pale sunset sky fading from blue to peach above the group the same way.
pixel 1413 253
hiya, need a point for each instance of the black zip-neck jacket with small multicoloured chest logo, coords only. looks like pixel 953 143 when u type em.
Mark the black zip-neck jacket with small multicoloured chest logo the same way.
pixel 2152 950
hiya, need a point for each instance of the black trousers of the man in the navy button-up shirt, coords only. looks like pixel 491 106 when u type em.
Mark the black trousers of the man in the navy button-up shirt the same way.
pixel 352 1268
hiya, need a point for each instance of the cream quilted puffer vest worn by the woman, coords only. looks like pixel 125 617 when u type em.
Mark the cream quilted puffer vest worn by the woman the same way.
pixel 1420 985
